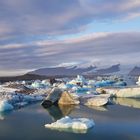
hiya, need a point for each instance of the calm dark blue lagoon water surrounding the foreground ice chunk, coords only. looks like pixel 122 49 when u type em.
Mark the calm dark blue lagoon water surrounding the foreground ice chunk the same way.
pixel 114 122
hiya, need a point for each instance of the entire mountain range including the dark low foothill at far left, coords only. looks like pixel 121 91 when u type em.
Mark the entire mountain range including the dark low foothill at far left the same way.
pixel 90 71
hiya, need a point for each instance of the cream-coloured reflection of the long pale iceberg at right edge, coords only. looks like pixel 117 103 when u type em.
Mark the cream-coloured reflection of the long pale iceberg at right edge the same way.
pixel 135 103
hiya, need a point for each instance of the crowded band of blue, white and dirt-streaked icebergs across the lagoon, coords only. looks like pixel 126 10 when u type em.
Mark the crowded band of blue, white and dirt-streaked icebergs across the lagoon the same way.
pixel 21 93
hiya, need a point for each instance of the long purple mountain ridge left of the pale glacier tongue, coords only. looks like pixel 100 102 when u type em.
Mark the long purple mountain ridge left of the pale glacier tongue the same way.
pixel 70 71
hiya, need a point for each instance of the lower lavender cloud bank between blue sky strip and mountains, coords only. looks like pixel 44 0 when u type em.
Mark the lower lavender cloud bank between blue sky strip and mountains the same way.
pixel 99 48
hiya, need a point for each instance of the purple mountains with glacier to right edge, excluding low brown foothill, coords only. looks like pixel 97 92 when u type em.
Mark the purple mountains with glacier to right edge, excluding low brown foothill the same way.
pixel 116 69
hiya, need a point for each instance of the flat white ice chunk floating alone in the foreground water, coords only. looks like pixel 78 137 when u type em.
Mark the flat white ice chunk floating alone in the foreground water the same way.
pixel 77 125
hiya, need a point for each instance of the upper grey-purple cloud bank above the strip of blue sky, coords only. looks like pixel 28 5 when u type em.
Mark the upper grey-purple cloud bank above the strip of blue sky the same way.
pixel 51 17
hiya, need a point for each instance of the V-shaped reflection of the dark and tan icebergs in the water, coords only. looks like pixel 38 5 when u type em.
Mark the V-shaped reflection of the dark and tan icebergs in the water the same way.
pixel 59 111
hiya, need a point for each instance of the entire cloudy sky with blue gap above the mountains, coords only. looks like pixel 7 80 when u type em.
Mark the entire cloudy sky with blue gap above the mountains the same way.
pixel 47 33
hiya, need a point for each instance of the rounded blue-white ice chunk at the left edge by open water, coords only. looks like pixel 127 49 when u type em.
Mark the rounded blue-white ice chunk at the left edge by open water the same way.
pixel 5 106
